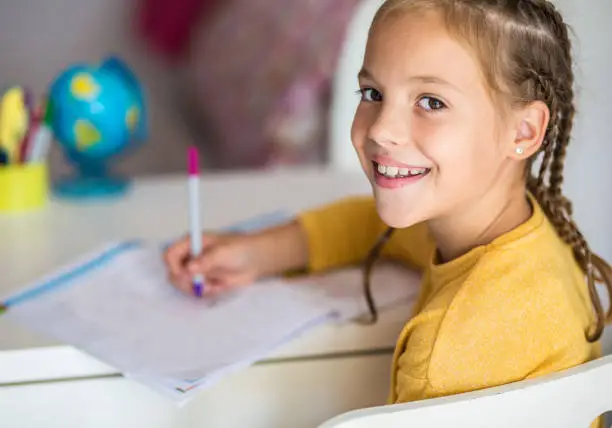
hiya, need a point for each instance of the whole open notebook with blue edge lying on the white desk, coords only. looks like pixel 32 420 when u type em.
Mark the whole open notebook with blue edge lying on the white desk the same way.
pixel 116 305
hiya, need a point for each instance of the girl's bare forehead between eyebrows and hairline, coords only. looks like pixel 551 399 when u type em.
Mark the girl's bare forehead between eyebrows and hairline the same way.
pixel 408 44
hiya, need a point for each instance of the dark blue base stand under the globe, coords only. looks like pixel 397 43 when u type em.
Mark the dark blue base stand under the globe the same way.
pixel 91 181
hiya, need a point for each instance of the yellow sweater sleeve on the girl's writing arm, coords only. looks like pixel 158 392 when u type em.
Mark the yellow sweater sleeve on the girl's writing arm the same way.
pixel 342 233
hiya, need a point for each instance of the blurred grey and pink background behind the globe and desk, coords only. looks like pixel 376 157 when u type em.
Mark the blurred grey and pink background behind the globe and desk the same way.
pixel 247 81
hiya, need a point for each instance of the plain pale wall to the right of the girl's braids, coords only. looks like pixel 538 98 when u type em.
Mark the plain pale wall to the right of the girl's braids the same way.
pixel 589 174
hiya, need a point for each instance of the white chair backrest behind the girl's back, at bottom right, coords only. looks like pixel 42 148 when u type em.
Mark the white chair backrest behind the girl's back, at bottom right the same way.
pixel 569 399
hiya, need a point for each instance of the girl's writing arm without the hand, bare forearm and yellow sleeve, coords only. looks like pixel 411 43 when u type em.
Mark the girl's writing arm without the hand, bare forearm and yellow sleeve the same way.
pixel 336 235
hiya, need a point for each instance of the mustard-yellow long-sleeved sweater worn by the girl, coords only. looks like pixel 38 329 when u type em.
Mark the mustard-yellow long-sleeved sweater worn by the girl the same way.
pixel 513 309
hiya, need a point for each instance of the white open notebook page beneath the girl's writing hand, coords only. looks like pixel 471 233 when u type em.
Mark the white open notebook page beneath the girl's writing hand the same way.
pixel 125 313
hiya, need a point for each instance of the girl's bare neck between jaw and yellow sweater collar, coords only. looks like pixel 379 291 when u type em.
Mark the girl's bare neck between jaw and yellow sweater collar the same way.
pixel 479 222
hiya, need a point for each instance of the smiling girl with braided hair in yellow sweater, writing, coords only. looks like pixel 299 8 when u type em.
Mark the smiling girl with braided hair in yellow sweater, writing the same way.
pixel 458 99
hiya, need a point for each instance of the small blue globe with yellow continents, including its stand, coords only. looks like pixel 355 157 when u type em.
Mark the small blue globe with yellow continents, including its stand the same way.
pixel 96 112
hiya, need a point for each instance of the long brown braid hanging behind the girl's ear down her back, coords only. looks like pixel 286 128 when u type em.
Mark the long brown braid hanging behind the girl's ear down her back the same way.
pixel 558 95
